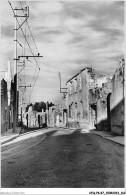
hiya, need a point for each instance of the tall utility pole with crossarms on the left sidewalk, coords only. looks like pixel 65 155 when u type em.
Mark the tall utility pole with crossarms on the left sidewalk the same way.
pixel 16 28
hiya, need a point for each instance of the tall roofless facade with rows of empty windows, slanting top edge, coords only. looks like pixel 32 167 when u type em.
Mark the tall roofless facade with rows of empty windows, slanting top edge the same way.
pixel 77 98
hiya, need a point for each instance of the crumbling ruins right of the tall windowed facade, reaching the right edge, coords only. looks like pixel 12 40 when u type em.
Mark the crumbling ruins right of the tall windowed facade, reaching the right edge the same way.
pixel 109 101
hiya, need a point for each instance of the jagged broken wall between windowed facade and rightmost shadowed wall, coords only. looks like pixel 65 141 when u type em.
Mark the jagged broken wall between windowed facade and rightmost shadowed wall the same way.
pixel 98 101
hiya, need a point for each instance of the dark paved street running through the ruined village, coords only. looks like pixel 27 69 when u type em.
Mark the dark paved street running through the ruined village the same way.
pixel 65 159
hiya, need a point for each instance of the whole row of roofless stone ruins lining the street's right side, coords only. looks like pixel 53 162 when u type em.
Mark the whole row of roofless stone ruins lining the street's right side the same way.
pixel 93 100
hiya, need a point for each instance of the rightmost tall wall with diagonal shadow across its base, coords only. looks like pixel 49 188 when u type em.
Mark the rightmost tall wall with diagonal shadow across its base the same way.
pixel 117 100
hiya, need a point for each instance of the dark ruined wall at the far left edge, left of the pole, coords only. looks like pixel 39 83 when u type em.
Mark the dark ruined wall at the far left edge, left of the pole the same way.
pixel 4 106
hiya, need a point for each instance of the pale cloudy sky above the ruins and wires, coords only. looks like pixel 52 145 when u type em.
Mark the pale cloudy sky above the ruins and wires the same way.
pixel 70 35
